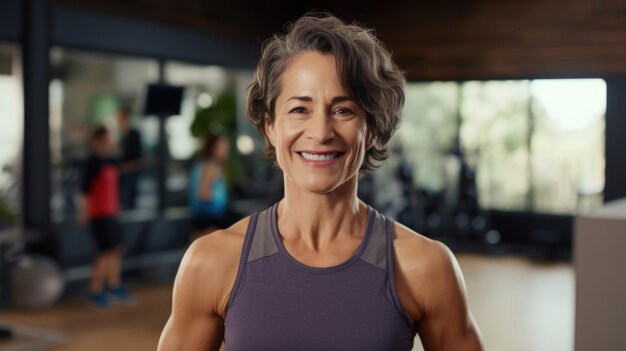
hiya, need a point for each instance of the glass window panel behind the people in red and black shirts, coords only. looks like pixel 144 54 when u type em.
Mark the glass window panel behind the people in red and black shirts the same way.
pixel 89 89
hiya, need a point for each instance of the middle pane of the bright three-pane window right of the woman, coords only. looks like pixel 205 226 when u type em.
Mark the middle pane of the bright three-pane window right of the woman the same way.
pixel 494 139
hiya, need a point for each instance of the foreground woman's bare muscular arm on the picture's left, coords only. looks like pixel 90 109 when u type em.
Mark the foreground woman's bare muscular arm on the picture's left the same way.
pixel 200 296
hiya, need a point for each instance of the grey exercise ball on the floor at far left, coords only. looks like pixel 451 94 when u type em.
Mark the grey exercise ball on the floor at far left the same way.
pixel 35 282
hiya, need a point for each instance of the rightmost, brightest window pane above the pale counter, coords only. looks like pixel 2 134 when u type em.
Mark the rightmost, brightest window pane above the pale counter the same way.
pixel 568 144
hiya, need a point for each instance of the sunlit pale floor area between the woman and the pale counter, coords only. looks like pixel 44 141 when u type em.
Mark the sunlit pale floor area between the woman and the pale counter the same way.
pixel 520 305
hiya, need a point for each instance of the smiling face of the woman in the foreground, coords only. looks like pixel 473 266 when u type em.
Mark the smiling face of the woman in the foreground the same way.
pixel 319 131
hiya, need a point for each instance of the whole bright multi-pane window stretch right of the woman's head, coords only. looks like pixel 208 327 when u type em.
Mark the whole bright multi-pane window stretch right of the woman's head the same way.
pixel 536 145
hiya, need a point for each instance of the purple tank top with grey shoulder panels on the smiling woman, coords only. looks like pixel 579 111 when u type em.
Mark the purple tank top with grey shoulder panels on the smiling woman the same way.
pixel 278 303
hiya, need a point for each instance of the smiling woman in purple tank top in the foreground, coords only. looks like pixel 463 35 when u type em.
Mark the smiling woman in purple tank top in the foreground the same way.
pixel 321 270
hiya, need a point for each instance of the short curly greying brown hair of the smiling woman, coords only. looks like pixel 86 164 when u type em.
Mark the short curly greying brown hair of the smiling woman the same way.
pixel 365 69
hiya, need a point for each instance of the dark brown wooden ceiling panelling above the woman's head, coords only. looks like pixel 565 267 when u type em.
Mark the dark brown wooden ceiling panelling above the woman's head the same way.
pixel 448 40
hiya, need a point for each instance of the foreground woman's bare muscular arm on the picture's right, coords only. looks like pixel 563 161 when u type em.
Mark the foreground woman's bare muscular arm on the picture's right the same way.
pixel 432 291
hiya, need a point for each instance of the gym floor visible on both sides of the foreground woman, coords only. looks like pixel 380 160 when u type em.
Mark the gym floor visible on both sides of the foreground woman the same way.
pixel 518 305
